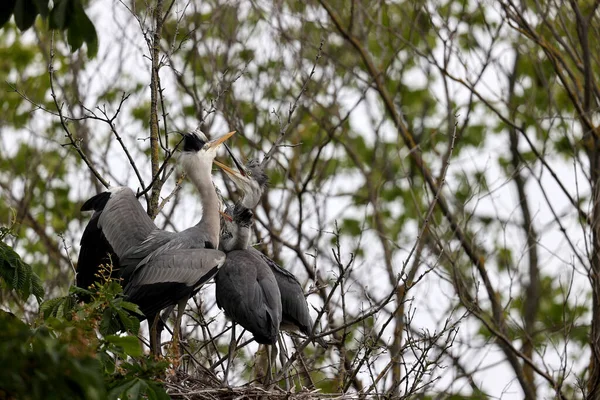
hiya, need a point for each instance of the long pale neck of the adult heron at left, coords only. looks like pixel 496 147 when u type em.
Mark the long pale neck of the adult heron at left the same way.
pixel 201 176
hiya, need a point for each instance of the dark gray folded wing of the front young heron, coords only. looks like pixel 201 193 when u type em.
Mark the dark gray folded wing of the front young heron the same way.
pixel 248 293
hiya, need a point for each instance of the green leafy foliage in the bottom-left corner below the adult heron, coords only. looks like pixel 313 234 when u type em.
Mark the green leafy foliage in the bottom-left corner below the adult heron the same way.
pixel 80 350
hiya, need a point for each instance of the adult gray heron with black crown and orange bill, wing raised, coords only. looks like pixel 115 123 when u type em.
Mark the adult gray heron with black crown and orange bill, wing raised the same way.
pixel 159 268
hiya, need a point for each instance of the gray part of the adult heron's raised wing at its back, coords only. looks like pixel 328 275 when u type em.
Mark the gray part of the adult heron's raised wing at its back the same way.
pixel 124 222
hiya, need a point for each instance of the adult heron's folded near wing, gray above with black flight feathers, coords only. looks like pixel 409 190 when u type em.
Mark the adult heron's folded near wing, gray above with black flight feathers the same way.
pixel 171 276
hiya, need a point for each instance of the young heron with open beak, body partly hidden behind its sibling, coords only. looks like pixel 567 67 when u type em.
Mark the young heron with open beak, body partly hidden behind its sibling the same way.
pixel 252 181
